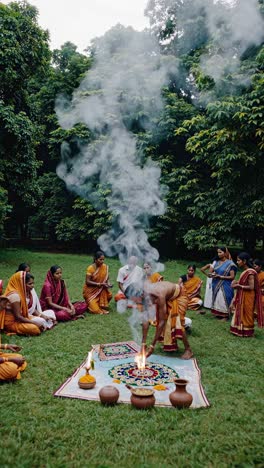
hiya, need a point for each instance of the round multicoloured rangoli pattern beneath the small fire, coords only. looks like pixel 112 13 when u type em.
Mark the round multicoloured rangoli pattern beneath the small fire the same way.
pixel 154 374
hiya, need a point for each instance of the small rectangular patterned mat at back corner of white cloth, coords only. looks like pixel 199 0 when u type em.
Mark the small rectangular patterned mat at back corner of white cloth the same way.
pixel 122 350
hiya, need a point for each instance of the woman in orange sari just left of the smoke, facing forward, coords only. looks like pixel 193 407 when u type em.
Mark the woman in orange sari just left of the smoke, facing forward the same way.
pixel 96 289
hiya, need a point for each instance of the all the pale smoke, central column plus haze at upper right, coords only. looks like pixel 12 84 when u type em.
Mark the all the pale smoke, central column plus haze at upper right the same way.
pixel 124 89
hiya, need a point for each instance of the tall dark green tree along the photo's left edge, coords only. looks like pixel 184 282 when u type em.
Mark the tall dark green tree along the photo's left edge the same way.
pixel 24 55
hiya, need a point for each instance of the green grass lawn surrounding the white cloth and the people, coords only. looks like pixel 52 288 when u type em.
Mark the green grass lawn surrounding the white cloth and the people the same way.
pixel 38 430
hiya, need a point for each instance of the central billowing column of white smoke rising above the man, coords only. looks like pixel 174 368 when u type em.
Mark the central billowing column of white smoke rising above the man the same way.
pixel 124 85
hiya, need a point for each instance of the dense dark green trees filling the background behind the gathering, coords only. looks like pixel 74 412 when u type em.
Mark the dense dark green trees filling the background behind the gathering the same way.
pixel 208 140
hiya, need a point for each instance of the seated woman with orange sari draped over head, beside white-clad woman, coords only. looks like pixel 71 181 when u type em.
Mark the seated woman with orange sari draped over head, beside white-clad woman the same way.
pixel 15 318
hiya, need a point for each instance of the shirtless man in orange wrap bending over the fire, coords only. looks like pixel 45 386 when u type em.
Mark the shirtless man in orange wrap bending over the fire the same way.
pixel 171 301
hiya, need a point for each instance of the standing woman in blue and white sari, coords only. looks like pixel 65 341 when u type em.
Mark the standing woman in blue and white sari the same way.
pixel 222 276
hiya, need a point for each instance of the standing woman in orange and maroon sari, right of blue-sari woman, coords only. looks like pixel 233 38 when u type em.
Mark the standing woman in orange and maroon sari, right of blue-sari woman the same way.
pixel 247 303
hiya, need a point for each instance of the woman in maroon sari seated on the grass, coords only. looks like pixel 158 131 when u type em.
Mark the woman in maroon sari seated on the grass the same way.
pixel 54 296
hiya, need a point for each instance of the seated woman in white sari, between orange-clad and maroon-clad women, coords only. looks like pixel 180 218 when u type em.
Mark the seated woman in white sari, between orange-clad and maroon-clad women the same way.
pixel 48 319
